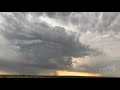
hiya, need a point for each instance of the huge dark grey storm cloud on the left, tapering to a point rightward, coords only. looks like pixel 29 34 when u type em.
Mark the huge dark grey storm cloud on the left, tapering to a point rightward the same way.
pixel 31 45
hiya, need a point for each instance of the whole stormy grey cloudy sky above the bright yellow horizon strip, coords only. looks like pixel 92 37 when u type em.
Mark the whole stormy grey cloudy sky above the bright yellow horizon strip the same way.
pixel 43 42
